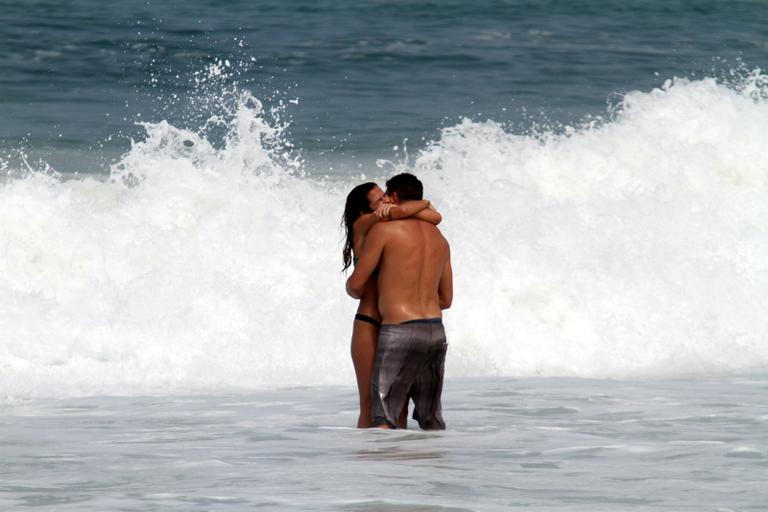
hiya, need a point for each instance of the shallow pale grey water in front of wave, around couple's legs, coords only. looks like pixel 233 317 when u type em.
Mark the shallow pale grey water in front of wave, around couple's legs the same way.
pixel 550 444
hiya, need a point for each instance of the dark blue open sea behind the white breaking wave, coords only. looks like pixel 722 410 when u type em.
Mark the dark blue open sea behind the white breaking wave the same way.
pixel 77 76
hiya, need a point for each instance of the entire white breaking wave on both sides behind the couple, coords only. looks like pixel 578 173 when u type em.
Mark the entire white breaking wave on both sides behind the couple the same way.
pixel 637 247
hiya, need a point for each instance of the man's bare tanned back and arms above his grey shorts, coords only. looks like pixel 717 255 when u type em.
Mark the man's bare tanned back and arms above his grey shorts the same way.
pixel 414 278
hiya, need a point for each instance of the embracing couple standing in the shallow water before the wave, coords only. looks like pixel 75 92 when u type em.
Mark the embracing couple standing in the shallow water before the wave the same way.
pixel 403 279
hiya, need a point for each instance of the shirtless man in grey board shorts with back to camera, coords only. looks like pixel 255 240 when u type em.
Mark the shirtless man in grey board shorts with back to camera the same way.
pixel 415 284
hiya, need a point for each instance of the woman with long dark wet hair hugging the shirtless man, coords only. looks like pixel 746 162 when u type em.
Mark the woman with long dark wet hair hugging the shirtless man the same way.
pixel 366 205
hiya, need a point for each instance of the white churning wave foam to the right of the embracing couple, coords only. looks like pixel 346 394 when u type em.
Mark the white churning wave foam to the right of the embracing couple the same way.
pixel 637 247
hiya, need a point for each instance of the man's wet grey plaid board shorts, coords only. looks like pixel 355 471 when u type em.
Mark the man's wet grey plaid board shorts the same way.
pixel 410 363
